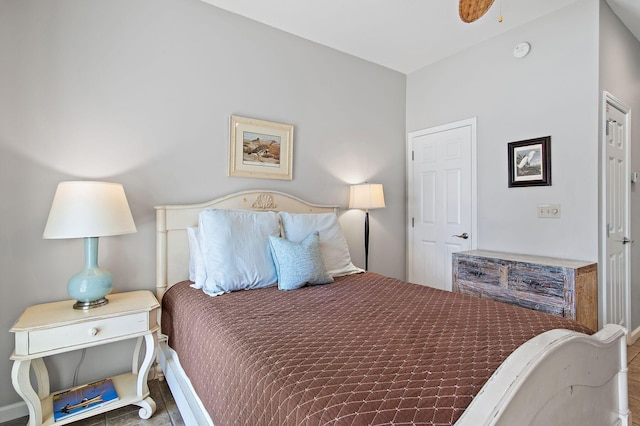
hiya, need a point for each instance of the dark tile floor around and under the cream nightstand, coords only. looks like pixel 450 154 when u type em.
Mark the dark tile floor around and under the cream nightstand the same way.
pixel 166 412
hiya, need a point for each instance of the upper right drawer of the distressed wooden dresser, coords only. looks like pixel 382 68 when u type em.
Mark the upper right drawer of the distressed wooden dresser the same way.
pixel 530 279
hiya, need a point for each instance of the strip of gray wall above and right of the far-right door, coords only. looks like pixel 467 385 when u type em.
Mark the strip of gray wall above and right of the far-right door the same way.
pixel 620 76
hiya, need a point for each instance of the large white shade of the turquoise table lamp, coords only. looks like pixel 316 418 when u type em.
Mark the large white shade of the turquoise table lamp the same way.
pixel 89 209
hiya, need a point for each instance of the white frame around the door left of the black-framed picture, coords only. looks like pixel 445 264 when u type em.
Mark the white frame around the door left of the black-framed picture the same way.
pixel 472 122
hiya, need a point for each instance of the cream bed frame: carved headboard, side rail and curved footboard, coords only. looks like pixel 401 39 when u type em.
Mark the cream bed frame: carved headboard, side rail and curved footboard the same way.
pixel 559 377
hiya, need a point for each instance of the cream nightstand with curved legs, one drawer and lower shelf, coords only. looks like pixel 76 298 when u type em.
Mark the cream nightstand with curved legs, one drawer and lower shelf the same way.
pixel 54 328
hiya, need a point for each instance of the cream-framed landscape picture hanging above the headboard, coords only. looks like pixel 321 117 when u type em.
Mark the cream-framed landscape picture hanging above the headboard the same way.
pixel 260 149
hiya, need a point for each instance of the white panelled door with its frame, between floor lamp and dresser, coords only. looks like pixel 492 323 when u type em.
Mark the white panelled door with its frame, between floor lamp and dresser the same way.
pixel 442 200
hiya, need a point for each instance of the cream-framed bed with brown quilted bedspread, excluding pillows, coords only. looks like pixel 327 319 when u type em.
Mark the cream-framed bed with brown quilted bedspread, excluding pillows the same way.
pixel 393 363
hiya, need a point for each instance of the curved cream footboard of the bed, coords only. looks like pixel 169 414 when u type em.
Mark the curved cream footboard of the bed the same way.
pixel 558 377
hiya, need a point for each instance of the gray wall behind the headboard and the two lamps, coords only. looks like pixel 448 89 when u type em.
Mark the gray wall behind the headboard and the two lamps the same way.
pixel 140 93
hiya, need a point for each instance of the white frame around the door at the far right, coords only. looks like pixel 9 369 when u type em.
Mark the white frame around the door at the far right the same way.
pixel 609 99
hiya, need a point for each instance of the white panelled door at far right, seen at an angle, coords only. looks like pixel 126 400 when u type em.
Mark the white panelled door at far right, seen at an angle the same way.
pixel 616 181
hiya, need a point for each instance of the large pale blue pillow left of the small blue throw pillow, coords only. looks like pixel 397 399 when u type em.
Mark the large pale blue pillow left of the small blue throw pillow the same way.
pixel 235 248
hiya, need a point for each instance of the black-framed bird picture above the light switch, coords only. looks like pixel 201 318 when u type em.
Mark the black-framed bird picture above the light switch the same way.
pixel 530 162
